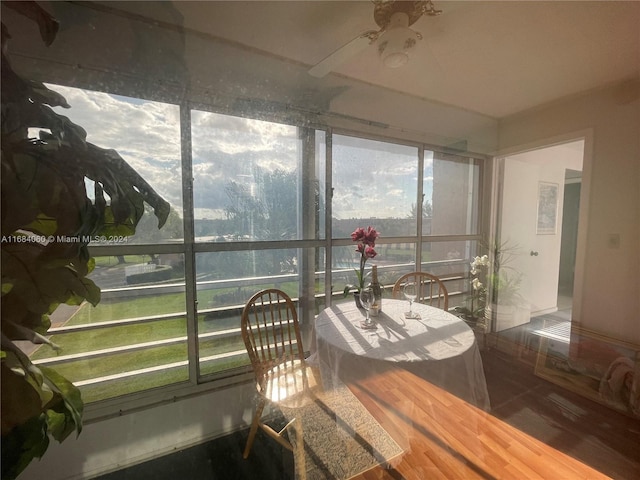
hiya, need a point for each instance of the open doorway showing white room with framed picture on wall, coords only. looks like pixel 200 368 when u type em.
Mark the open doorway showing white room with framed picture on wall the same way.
pixel 540 225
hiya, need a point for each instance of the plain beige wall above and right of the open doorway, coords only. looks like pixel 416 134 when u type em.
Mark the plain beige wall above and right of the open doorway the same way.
pixel 607 281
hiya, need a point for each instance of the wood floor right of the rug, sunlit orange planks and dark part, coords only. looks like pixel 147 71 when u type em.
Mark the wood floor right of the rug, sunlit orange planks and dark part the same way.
pixel 444 437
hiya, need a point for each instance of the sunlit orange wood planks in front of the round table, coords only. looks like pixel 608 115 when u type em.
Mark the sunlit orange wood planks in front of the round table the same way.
pixel 444 437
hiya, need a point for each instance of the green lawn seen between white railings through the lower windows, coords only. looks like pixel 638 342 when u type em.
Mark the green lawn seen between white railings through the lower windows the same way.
pixel 117 336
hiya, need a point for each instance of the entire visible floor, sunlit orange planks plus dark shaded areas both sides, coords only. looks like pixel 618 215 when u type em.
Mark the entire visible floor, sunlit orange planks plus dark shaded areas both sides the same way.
pixel 535 430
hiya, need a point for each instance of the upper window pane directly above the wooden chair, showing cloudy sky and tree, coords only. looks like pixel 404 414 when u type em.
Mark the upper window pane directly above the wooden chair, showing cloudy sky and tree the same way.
pixel 250 180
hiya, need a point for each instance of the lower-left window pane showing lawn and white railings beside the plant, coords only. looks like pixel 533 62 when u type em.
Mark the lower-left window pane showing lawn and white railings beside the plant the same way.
pixel 135 339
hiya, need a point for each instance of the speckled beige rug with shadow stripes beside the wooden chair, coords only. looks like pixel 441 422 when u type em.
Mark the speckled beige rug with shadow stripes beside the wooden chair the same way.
pixel 341 438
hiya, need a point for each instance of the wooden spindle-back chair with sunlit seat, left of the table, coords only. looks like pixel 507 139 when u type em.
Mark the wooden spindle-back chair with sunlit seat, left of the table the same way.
pixel 271 333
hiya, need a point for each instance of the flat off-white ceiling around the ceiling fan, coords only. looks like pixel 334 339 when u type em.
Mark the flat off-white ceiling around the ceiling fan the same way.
pixel 494 58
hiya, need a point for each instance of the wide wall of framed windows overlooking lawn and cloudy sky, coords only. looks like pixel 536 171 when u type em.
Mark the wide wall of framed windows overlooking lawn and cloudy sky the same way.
pixel 255 216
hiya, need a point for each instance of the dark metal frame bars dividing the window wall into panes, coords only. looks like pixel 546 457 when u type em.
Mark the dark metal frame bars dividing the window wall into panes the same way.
pixel 189 248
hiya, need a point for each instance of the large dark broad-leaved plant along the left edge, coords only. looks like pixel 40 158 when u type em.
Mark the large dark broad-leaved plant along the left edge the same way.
pixel 48 220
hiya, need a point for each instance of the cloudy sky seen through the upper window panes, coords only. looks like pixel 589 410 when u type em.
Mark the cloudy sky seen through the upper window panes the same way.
pixel 367 175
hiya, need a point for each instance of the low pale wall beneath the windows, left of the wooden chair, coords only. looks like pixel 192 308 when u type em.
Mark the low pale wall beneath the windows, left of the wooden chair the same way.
pixel 115 443
